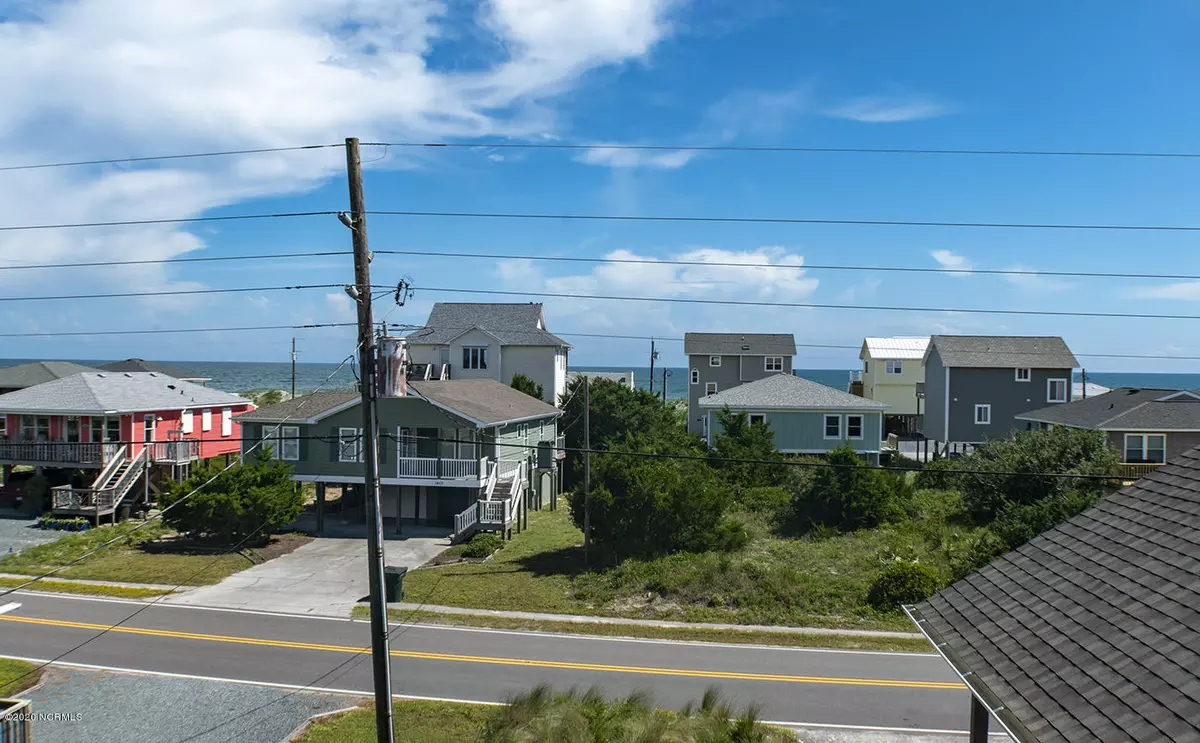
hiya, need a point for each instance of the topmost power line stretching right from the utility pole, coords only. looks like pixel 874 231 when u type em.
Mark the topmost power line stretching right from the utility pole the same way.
pixel 733 148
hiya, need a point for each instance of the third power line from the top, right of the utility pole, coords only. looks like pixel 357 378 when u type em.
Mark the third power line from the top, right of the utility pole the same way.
pixel 805 267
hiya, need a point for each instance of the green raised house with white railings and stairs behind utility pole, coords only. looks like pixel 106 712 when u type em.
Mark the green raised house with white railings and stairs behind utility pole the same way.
pixel 452 453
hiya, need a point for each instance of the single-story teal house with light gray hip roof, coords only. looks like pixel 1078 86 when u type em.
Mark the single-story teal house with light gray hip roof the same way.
pixel 805 417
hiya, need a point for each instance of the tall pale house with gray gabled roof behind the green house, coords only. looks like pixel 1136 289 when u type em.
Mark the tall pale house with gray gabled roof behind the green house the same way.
pixel 490 341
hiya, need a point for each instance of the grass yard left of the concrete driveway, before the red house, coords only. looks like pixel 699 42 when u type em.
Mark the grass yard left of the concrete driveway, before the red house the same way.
pixel 145 556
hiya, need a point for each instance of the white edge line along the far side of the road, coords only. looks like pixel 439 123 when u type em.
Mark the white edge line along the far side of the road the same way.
pixel 496 631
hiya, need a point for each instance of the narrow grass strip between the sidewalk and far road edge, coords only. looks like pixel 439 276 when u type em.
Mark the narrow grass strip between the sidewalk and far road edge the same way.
pixel 692 634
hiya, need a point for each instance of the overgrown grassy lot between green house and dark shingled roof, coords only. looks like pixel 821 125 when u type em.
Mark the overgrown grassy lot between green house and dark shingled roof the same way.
pixel 776 580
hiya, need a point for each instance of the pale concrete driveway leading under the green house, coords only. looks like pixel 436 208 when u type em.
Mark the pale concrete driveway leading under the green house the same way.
pixel 326 577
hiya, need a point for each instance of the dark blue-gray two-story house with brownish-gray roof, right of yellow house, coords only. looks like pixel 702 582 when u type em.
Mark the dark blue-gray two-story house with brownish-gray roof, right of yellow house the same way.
pixel 976 386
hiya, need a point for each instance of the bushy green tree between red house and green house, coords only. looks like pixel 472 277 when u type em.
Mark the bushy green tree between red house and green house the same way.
pixel 248 501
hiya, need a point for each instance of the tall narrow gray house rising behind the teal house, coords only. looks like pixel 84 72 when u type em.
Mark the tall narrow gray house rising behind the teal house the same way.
pixel 718 362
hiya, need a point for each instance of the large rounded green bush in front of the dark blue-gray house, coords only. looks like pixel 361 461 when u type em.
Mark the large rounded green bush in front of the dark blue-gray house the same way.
pixel 1021 471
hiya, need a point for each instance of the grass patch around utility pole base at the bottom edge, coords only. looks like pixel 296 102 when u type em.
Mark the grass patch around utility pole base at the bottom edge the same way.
pixel 415 722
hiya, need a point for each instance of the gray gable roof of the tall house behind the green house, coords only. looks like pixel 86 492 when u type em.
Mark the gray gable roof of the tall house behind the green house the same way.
pixel 512 325
